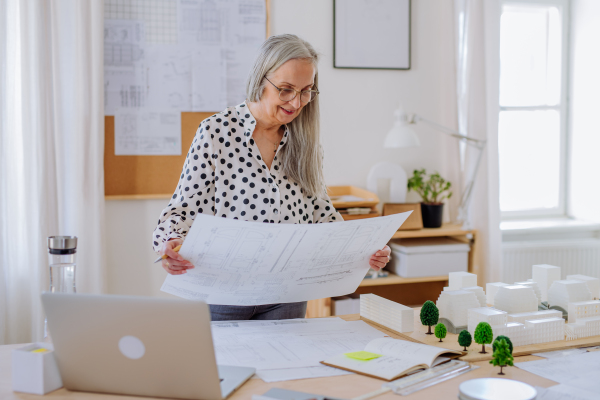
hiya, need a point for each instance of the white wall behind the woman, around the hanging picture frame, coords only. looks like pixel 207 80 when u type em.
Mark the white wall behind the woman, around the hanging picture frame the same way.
pixel 357 111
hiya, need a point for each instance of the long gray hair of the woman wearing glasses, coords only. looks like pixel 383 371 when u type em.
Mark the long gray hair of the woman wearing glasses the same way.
pixel 301 156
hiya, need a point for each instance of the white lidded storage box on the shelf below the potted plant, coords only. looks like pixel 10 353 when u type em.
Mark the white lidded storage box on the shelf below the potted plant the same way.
pixel 413 258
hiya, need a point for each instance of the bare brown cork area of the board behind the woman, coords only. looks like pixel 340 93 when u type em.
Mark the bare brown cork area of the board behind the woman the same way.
pixel 129 177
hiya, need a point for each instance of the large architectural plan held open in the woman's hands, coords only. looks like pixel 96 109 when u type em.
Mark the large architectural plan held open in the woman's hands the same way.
pixel 250 263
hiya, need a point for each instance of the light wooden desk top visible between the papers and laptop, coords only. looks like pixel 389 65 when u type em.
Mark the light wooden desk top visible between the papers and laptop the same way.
pixel 346 386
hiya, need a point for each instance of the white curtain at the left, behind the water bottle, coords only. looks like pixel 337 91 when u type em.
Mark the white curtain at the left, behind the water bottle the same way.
pixel 51 151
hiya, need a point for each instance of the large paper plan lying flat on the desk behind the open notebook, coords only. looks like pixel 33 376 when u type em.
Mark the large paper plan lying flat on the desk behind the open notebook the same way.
pixel 275 345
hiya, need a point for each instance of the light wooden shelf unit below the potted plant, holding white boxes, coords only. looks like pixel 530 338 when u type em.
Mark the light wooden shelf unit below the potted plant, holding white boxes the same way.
pixel 407 291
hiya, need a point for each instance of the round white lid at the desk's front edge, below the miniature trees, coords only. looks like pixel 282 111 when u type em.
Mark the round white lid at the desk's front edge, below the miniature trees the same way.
pixel 495 389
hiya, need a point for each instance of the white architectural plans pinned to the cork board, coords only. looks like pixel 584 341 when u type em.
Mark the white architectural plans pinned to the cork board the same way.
pixel 165 57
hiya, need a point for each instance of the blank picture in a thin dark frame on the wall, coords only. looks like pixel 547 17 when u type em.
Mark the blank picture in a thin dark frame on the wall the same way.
pixel 371 34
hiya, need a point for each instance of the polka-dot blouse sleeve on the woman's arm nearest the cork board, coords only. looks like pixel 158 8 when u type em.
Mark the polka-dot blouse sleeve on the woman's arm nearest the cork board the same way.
pixel 194 193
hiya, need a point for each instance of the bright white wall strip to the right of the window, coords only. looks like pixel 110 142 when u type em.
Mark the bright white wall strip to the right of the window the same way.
pixel 585 103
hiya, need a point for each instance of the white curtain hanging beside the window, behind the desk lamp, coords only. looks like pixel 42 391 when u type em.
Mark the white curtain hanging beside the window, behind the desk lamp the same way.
pixel 477 99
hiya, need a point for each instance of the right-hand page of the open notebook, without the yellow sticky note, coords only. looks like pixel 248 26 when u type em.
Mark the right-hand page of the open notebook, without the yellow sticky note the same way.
pixel 415 352
